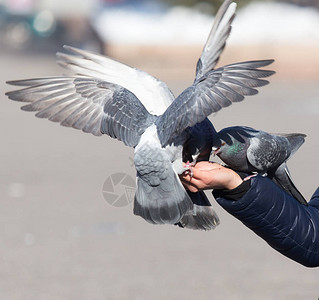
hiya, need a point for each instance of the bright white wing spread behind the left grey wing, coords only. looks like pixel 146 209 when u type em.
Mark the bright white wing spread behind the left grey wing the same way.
pixel 153 93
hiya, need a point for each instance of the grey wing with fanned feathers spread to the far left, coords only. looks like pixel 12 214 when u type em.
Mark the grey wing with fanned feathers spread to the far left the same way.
pixel 92 105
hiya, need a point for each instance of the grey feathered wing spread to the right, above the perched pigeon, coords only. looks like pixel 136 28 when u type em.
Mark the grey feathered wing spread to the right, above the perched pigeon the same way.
pixel 217 89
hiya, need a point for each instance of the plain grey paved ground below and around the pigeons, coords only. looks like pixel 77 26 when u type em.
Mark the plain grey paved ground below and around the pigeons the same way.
pixel 61 240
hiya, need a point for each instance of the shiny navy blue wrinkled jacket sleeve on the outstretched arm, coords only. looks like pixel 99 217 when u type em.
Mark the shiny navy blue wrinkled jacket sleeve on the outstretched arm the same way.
pixel 286 225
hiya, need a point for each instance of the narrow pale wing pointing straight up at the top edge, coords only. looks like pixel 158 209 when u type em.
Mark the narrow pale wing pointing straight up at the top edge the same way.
pixel 217 39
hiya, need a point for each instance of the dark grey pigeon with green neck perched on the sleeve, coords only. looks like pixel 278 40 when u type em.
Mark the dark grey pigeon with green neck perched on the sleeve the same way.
pixel 249 150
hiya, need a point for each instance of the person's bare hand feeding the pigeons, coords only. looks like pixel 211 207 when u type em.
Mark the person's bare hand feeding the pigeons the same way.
pixel 210 175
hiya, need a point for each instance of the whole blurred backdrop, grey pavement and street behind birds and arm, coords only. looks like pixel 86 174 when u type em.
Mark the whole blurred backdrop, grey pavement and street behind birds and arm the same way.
pixel 60 238
